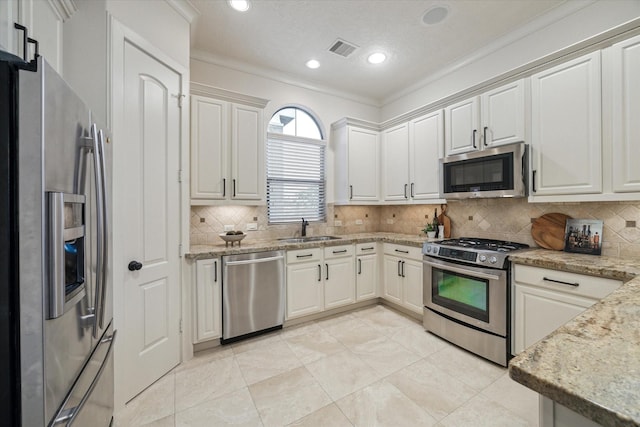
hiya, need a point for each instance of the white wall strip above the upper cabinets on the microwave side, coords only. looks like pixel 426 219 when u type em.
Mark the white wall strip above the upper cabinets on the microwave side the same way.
pixel 592 19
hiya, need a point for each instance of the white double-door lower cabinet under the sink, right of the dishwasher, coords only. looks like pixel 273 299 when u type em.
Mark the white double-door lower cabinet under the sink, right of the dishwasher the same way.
pixel 319 279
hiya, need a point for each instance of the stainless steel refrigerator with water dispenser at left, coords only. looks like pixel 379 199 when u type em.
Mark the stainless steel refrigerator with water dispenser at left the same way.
pixel 56 334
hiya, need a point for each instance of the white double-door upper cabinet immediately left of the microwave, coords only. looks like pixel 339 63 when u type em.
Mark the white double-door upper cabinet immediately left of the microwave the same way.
pixel 410 159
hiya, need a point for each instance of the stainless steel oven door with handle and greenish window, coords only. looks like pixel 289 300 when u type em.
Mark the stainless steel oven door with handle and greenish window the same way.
pixel 473 295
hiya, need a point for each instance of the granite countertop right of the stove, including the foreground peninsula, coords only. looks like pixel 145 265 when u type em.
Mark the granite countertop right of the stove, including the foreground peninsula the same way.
pixel 591 365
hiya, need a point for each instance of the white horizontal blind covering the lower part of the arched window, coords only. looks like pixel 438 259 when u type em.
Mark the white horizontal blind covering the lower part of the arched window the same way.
pixel 295 179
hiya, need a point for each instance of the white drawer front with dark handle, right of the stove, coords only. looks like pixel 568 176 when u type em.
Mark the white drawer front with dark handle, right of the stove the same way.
pixel 578 284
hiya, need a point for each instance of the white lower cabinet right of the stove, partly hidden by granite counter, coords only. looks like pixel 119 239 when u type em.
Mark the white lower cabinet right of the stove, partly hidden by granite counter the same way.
pixel 543 300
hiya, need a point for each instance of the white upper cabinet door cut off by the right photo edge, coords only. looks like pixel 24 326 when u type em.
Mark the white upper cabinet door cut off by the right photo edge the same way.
pixel 625 67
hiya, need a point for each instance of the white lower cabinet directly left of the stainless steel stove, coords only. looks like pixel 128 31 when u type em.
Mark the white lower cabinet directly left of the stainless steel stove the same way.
pixel 402 268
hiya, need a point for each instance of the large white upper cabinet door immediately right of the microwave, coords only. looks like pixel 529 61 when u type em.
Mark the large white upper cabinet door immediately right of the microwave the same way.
pixel 566 122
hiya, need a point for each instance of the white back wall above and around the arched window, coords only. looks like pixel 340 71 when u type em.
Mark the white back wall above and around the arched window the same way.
pixel 327 108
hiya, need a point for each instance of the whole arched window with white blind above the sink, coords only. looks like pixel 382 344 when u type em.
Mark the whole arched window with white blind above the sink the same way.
pixel 295 168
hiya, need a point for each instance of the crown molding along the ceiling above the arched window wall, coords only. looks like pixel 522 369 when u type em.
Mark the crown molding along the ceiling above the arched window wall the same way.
pixel 279 76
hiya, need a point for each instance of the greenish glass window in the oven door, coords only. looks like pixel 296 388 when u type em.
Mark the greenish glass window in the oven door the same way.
pixel 464 294
